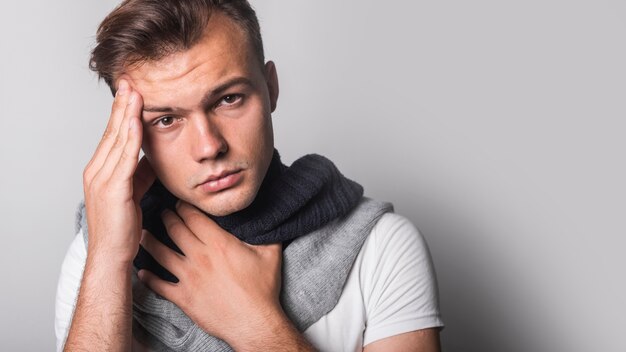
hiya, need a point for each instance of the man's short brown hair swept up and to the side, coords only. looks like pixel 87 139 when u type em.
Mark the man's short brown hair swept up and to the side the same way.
pixel 148 30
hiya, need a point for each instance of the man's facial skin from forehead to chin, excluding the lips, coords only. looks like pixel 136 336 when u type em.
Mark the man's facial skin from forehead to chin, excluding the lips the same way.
pixel 191 133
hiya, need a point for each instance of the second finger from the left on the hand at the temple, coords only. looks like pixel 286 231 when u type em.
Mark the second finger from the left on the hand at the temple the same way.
pixel 119 146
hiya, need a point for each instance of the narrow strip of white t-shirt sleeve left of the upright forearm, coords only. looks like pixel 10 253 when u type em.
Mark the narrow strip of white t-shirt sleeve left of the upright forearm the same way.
pixel 67 288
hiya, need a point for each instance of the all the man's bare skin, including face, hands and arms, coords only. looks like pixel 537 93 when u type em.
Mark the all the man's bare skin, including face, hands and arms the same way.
pixel 197 114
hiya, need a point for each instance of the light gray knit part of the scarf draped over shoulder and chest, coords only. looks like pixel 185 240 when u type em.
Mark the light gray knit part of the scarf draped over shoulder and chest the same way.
pixel 315 269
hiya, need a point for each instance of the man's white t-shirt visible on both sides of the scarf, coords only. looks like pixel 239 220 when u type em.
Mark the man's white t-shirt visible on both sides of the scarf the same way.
pixel 391 289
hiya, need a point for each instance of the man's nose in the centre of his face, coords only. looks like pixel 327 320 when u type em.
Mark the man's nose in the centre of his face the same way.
pixel 207 141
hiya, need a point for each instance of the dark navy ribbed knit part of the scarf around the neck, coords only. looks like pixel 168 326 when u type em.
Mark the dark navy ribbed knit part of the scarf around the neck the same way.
pixel 292 201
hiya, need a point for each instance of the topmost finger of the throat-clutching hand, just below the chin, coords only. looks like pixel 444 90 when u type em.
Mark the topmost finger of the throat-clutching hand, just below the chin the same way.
pixel 205 229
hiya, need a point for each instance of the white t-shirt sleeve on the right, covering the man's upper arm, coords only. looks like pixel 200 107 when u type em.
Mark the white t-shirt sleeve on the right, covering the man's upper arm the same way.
pixel 398 283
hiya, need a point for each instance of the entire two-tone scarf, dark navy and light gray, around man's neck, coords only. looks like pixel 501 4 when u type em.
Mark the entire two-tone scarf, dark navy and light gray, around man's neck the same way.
pixel 324 240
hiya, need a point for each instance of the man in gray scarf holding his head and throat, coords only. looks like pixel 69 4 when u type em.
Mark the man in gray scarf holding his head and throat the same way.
pixel 209 242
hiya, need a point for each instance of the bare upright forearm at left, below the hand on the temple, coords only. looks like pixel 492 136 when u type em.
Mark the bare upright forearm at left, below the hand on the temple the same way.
pixel 102 319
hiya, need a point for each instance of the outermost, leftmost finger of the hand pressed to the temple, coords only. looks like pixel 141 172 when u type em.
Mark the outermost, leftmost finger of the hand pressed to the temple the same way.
pixel 110 133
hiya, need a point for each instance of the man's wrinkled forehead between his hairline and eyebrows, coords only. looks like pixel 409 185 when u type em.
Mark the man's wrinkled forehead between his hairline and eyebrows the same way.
pixel 224 51
